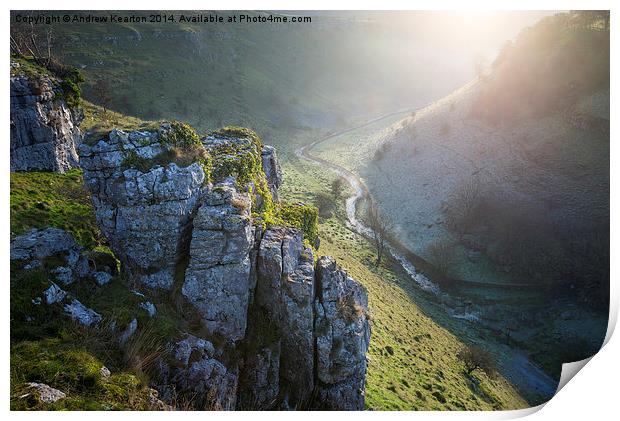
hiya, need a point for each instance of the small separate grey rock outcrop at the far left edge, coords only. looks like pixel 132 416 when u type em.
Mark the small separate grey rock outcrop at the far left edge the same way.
pixel 44 131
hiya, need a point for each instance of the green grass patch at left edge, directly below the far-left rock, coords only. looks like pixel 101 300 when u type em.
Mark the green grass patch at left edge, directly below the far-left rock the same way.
pixel 43 199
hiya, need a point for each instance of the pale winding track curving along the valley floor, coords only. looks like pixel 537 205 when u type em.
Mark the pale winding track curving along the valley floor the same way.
pixel 518 367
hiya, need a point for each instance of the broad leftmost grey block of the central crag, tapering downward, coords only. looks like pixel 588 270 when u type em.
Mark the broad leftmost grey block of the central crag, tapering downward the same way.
pixel 145 215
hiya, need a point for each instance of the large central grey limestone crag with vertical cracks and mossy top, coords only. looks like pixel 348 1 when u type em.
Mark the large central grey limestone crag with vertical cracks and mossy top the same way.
pixel 275 330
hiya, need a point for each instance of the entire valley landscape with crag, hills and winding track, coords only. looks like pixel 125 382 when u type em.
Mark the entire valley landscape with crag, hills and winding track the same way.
pixel 227 176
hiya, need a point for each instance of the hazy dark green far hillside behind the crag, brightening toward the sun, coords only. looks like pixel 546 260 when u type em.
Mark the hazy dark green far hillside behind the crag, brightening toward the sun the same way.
pixel 279 79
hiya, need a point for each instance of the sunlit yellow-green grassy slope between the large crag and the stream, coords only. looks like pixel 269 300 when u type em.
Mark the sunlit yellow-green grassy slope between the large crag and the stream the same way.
pixel 412 357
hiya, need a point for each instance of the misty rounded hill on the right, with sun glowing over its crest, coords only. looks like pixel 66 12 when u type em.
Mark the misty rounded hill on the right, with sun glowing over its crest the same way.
pixel 514 165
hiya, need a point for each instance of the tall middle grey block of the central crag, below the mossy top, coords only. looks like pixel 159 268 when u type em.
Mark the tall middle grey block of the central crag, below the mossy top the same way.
pixel 217 279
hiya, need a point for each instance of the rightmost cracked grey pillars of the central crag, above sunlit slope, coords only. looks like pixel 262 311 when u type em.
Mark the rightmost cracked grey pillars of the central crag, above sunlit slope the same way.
pixel 308 332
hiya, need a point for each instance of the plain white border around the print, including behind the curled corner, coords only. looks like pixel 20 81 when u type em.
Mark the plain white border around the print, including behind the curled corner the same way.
pixel 591 395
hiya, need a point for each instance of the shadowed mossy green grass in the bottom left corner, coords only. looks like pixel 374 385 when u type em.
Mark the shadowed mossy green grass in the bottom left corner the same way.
pixel 47 347
